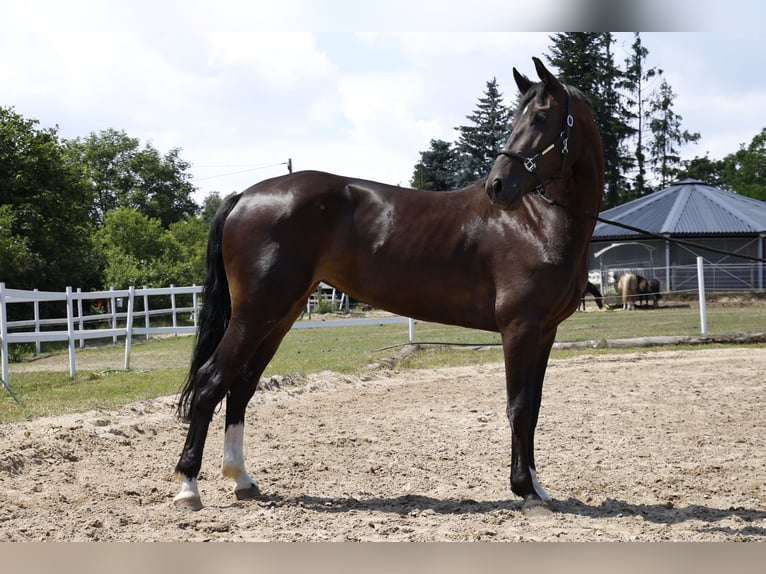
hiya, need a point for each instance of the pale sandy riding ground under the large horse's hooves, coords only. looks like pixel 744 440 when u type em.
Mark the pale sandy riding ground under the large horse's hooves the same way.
pixel 639 446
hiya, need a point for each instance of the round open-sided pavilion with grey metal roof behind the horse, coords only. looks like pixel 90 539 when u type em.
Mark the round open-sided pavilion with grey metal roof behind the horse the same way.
pixel 693 211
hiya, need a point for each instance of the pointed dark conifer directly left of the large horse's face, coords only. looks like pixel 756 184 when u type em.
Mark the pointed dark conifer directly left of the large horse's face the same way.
pixel 480 141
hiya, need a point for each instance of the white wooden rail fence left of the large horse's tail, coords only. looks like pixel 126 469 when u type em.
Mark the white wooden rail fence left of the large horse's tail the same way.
pixel 73 326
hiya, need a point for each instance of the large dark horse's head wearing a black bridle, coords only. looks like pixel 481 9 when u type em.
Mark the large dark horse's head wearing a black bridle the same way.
pixel 539 148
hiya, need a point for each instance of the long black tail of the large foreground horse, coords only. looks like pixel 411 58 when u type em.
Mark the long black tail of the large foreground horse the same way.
pixel 216 307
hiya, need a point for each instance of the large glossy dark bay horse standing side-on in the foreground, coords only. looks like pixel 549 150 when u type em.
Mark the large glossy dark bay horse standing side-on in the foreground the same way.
pixel 513 262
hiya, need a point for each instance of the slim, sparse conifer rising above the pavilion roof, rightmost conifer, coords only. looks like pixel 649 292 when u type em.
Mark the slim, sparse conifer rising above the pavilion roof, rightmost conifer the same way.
pixel 665 125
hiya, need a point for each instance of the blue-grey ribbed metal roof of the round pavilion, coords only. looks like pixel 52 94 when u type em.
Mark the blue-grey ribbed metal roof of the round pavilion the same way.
pixel 687 208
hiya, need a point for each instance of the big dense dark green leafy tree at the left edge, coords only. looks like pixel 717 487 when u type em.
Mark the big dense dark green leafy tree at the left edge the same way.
pixel 48 214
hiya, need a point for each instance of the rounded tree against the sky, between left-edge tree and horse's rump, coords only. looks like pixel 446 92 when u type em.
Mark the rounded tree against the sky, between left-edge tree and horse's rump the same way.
pixel 122 174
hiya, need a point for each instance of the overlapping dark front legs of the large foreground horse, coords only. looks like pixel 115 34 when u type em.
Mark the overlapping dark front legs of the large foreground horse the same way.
pixel 526 350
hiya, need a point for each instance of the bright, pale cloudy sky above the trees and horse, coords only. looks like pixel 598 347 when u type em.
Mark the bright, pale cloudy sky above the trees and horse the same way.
pixel 241 86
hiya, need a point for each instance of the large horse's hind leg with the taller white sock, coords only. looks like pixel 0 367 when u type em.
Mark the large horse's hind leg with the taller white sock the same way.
pixel 233 465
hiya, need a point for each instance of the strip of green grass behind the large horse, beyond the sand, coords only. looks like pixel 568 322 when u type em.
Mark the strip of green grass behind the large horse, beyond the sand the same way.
pixel 343 350
